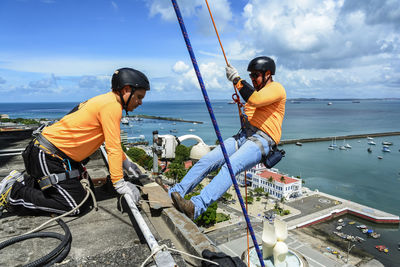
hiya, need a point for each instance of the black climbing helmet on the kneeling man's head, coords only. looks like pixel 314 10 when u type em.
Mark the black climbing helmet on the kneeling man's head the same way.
pixel 128 76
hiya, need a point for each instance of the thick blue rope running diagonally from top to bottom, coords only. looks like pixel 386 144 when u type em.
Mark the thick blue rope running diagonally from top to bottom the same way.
pixel 216 128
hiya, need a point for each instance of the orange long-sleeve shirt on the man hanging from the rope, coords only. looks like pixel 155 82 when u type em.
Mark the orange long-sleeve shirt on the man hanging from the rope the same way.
pixel 265 109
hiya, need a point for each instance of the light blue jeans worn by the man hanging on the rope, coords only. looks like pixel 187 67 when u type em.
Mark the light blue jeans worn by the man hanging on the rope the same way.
pixel 245 157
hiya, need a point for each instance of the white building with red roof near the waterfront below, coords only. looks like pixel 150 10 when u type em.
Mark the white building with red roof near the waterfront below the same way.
pixel 276 184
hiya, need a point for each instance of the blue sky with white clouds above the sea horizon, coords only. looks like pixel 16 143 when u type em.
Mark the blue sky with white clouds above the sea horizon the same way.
pixel 54 50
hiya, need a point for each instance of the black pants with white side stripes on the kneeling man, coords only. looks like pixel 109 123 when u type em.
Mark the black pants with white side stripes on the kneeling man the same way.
pixel 27 196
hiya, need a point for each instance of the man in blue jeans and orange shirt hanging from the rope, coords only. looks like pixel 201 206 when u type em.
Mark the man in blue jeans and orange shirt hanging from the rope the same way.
pixel 256 141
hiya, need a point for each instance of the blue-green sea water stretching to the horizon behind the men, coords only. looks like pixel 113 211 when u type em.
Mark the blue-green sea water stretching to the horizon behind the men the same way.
pixel 352 174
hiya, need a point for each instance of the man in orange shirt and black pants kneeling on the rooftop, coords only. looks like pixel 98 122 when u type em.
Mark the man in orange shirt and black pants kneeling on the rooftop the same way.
pixel 53 160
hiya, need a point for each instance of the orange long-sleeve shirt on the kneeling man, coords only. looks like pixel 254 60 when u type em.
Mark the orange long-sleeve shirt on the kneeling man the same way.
pixel 80 134
